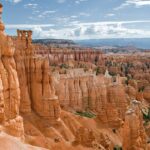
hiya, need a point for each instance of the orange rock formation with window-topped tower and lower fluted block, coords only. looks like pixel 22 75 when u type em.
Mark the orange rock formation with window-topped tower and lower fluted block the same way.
pixel 35 76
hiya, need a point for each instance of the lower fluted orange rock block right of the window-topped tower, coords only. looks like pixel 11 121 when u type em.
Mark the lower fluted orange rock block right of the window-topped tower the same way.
pixel 44 102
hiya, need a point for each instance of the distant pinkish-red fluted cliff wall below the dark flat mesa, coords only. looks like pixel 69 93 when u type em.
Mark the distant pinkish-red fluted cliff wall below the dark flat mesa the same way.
pixel 62 55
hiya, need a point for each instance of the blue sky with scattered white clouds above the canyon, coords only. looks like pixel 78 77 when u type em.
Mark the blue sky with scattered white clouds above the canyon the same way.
pixel 78 19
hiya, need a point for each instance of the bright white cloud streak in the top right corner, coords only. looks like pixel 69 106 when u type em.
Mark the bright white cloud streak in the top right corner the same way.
pixel 136 3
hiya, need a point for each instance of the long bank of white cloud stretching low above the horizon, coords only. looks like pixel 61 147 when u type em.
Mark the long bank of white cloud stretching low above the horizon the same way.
pixel 91 30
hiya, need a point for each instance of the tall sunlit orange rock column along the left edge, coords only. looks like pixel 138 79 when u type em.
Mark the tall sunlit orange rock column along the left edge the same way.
pixel 11 122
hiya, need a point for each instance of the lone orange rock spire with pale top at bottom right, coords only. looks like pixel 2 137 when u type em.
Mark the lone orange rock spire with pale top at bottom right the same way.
pixel 133 132
